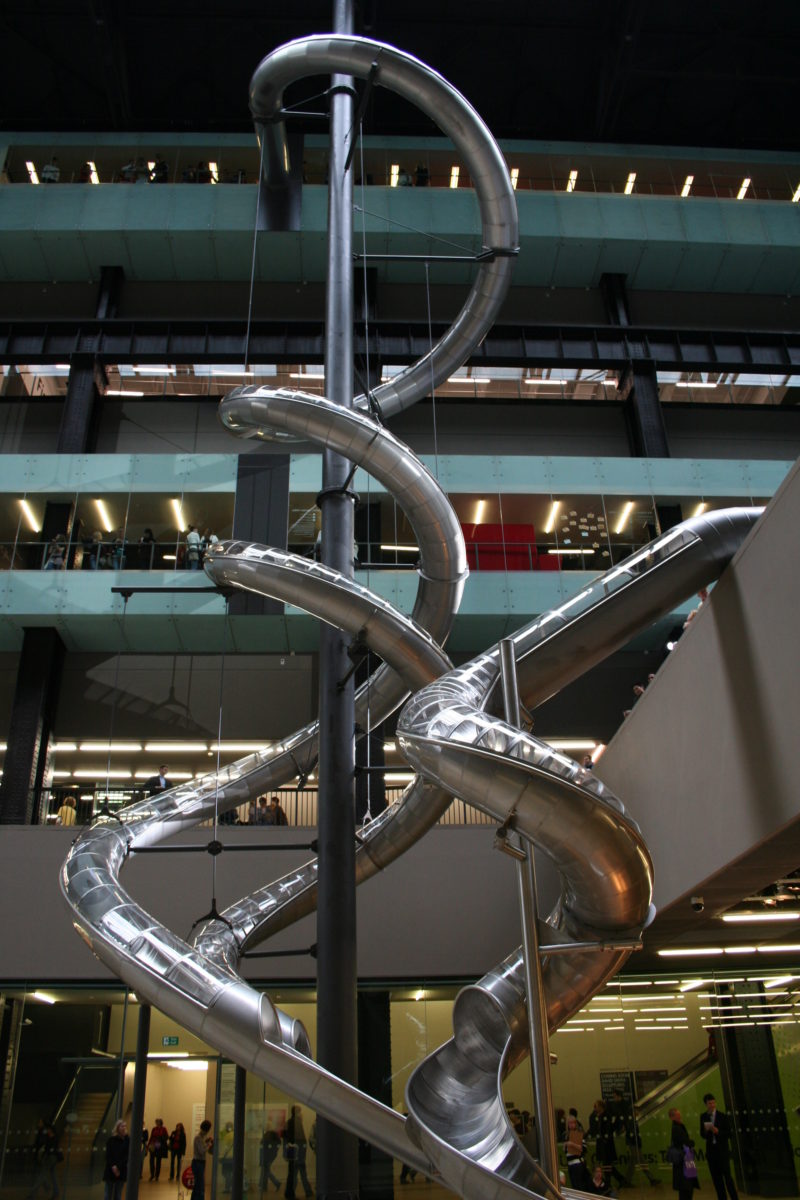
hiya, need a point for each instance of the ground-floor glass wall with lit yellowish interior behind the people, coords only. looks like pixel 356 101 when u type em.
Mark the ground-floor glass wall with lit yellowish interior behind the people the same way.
pixel 645 1046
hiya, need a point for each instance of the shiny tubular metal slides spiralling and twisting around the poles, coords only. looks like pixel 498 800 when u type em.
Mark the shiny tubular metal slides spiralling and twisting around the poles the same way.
pixel 449 731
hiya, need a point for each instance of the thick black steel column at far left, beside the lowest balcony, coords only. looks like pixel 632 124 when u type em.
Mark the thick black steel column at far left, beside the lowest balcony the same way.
pixel 39 679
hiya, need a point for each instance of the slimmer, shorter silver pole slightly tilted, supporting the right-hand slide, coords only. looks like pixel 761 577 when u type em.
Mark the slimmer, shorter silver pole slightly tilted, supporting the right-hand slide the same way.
pixel 540 1051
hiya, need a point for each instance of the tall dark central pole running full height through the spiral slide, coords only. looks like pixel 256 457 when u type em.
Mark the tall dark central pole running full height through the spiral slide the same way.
pixel 338 1165
